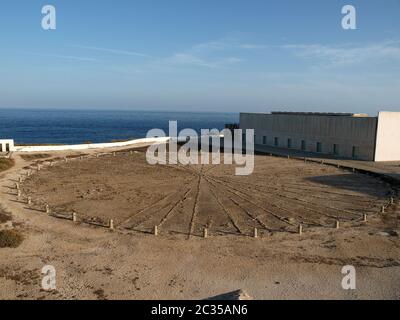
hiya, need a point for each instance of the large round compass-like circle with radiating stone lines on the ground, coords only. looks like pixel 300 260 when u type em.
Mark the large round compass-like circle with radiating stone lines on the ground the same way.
pixel 277 197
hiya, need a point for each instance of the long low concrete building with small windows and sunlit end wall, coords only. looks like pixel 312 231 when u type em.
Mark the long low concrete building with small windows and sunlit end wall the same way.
pixel 344 135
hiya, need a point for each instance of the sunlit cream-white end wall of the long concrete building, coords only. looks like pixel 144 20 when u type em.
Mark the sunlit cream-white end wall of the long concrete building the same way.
pixel 388 137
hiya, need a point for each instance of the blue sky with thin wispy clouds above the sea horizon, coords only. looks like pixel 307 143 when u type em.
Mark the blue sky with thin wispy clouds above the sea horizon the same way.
pixel 201 55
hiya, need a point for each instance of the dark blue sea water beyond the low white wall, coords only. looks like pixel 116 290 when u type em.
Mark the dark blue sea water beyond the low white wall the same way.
pixel 27 126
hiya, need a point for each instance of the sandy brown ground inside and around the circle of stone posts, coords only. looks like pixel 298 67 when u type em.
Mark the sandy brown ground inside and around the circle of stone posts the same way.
pixel 131 263
